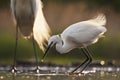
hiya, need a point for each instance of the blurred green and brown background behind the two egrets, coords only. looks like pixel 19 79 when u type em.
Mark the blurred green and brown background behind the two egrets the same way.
pixel 59 15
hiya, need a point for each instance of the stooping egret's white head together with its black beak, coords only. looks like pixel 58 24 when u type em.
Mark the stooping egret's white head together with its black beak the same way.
pixel 51 42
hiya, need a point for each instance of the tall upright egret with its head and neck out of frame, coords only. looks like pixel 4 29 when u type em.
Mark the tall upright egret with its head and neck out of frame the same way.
pixel 29 19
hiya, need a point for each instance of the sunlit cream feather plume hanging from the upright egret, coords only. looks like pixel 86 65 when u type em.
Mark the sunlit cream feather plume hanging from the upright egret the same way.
pixel 41 29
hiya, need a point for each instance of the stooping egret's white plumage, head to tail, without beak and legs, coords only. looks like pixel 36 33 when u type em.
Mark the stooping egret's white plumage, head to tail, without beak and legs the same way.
pixel 80 34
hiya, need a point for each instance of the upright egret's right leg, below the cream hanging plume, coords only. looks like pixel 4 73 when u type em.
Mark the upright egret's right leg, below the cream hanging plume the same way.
pixel 35 54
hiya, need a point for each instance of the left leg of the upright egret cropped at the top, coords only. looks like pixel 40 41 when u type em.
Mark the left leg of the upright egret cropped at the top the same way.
pixel 15 52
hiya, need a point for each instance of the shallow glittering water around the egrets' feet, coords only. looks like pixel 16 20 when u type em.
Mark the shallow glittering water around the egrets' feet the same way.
pixel 60 73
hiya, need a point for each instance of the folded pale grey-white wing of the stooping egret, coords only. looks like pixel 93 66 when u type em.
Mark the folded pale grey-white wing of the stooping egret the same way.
pixel 83 32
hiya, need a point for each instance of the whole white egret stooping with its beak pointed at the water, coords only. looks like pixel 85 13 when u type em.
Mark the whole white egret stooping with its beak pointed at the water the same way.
pixel 81 35
